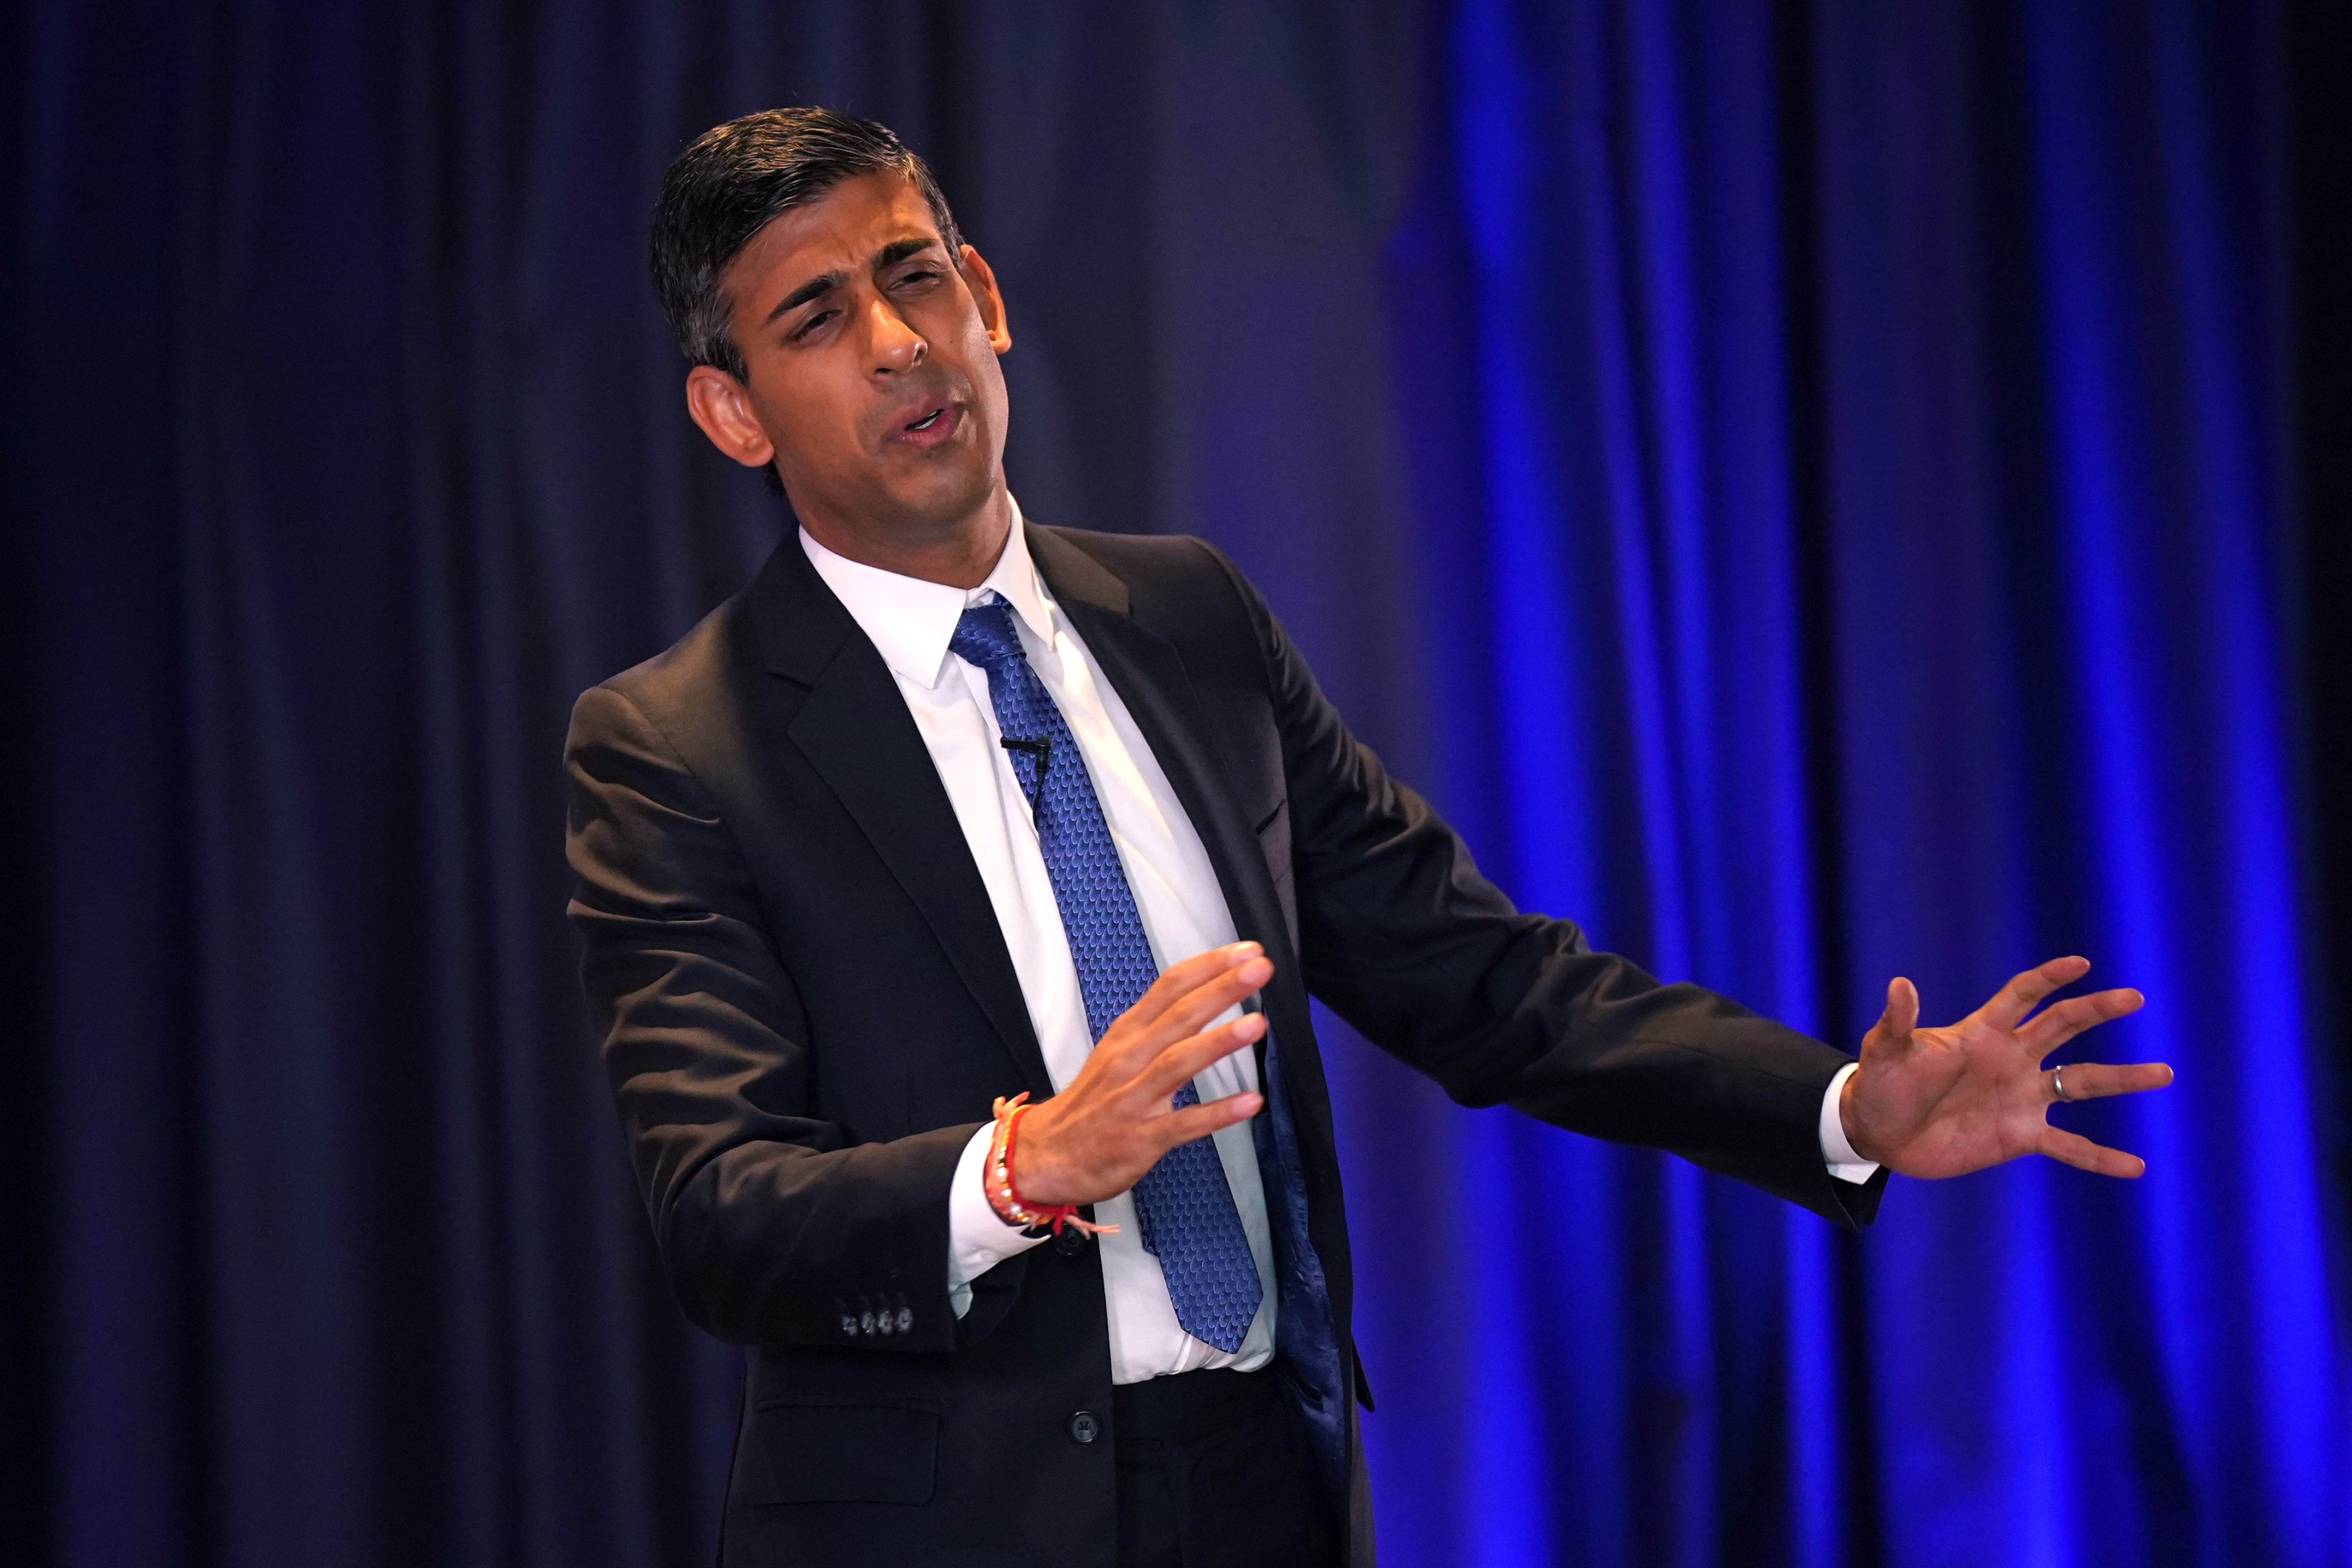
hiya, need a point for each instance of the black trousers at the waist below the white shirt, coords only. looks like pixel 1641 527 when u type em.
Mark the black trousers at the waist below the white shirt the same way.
pixel 1217 1475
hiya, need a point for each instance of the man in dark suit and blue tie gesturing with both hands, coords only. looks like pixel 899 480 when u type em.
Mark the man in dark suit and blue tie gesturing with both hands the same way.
pixel 949 810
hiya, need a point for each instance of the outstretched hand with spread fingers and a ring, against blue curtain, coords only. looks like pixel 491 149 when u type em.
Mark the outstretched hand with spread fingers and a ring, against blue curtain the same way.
pixel 1975 1094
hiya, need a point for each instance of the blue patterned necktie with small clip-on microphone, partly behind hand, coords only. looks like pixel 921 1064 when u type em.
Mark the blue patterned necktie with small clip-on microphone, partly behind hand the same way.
pixel 1182 1202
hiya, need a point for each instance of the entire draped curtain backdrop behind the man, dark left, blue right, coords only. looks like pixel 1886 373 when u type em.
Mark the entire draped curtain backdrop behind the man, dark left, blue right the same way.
pixel 1810 490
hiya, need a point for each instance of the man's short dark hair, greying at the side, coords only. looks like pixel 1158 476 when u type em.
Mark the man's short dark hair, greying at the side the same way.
pixel 735 182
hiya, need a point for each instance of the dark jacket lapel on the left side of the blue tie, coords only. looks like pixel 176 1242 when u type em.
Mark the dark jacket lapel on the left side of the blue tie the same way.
pixel 862 742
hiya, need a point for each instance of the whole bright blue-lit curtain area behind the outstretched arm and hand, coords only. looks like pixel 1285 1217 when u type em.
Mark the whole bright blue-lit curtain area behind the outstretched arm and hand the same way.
pixel 1866 445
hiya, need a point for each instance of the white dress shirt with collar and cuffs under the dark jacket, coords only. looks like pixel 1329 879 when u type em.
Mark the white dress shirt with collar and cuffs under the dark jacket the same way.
pixel 1177 897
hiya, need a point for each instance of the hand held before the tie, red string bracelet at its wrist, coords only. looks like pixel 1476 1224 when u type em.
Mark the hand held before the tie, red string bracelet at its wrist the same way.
pixel 1114 1123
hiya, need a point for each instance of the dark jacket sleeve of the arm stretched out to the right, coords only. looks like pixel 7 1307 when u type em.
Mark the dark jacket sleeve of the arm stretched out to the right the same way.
pixel 1429 960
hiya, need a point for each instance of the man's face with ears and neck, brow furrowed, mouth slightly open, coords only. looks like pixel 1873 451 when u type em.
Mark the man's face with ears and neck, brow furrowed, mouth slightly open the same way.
pixel 874 366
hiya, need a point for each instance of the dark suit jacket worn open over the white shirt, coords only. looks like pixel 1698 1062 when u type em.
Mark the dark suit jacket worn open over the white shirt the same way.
pixel 808 1010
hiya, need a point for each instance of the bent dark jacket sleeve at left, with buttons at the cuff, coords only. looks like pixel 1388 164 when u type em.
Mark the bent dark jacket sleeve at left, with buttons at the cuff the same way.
pixel 770 1221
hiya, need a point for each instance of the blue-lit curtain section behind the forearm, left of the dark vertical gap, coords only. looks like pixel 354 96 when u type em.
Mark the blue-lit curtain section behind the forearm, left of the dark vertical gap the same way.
pixel 1638 1362
